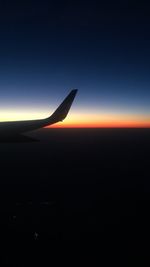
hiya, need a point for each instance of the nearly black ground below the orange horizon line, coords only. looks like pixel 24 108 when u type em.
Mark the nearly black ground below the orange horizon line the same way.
pixel 75 192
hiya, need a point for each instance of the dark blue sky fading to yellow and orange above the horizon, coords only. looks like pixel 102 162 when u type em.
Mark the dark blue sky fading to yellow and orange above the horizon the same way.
pixel 100 47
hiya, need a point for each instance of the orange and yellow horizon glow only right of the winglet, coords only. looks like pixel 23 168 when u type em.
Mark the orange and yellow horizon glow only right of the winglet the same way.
pixel 104 121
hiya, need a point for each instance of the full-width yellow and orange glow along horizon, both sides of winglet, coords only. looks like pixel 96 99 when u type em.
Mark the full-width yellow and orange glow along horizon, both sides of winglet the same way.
pixel 86 119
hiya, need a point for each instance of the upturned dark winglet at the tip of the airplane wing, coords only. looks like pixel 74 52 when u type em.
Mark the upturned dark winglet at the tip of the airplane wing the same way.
pixel 61 112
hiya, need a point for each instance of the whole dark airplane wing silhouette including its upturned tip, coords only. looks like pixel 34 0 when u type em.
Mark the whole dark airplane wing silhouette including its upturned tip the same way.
pixel 18 127
